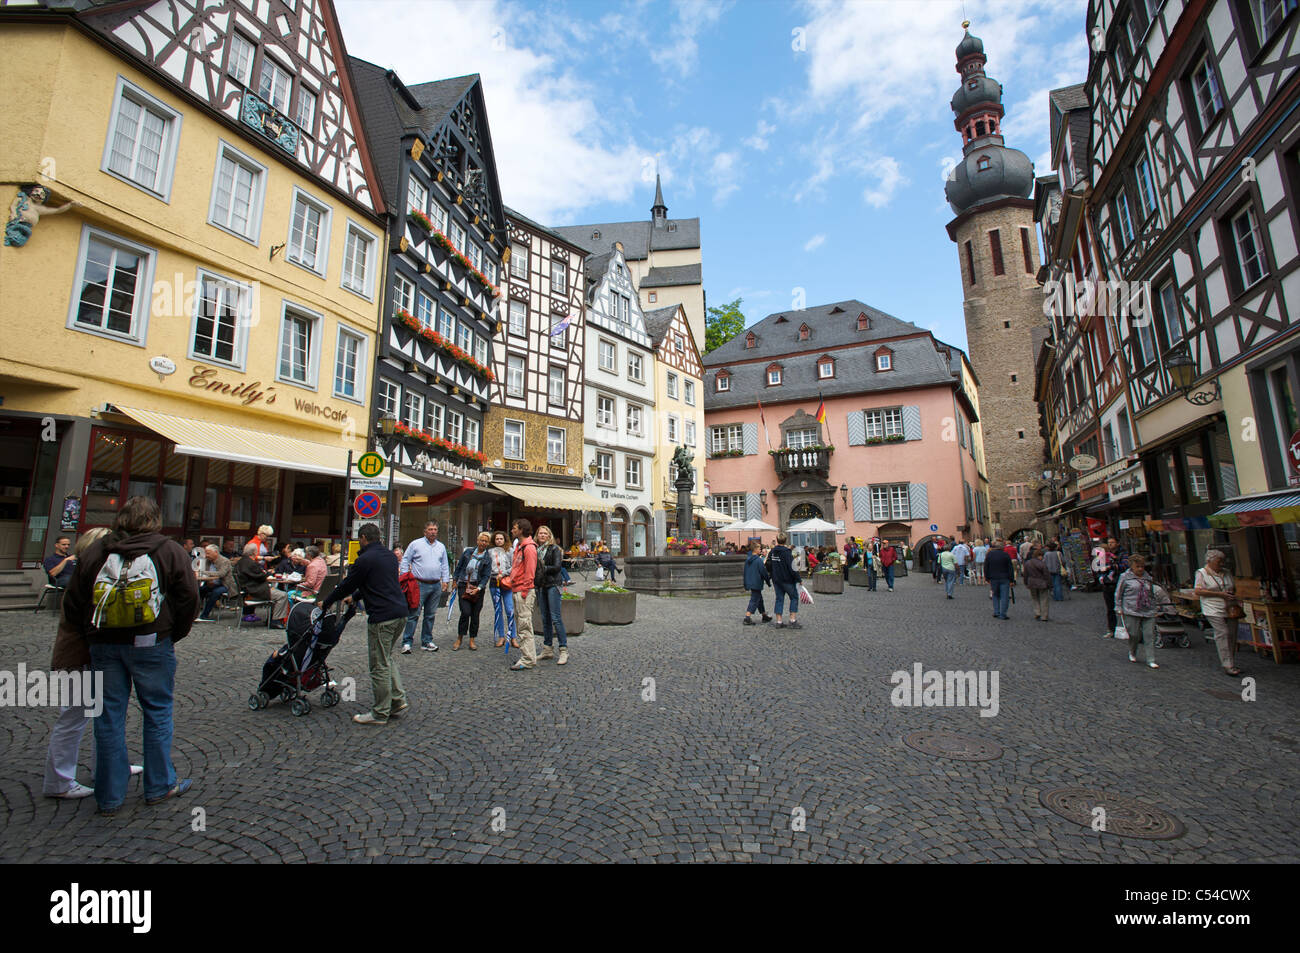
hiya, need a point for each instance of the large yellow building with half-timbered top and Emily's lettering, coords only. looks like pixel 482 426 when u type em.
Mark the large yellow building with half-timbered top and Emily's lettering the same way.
pixel 201 326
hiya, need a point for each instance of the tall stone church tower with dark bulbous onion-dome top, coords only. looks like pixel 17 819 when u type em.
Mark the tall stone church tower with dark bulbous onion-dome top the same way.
pixel 999 258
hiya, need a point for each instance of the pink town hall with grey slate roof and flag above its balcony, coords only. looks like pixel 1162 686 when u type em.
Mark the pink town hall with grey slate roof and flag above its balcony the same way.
pixel 900 449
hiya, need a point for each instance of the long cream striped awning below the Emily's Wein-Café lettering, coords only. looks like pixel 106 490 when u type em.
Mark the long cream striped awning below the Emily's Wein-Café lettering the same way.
pixel 241 445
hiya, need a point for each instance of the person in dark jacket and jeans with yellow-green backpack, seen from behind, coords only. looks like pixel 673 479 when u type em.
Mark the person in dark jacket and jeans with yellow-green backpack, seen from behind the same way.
pixel 132 644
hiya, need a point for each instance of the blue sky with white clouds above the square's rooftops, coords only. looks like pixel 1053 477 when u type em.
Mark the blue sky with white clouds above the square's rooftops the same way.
pixel 812 140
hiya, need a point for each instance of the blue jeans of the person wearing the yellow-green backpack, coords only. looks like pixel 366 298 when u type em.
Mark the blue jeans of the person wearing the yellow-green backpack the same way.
pixel 153 672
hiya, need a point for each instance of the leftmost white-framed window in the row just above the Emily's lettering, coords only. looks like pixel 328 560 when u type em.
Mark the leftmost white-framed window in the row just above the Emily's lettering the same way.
pixel 111 293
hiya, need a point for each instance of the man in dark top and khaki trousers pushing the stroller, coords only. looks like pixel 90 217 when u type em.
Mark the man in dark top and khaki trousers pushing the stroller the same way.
pixel 375 578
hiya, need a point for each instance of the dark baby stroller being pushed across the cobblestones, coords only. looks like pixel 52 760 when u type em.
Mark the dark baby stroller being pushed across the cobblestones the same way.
pixel 300 668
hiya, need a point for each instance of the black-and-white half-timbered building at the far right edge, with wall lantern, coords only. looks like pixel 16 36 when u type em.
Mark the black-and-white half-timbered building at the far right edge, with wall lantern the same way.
pixel 1197 198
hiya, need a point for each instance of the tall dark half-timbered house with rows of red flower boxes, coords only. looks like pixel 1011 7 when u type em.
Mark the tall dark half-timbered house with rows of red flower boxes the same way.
pixel 435 376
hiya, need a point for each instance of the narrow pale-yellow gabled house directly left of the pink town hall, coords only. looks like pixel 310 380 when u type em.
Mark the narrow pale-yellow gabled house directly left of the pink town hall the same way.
pixel 679 413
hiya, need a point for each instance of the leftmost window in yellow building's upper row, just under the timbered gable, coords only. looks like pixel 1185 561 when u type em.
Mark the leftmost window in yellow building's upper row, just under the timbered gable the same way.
pixel 142 138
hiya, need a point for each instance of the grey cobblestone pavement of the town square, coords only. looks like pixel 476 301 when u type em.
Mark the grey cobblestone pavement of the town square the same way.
pixel 749 727
